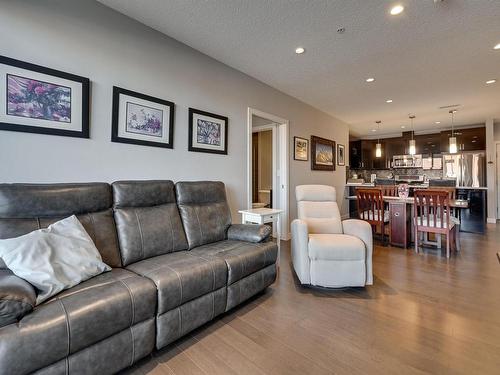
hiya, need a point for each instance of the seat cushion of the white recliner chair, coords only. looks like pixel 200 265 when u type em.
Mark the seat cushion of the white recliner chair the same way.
pixel 336 247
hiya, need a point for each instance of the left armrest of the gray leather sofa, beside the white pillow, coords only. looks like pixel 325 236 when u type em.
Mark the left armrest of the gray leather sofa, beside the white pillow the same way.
pixel 17 297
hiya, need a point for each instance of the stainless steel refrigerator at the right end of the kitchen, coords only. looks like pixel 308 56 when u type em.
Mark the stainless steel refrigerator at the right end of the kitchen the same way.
pixel 469 168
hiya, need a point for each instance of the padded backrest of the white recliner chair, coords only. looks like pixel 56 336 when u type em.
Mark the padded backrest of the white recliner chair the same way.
pixel 317 205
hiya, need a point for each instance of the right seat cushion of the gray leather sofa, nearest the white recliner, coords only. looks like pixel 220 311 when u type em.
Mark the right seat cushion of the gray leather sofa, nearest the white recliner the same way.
pixel 241 258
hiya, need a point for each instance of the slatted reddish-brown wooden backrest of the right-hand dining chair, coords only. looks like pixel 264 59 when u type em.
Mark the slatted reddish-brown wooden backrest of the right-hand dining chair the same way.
pixel 432 210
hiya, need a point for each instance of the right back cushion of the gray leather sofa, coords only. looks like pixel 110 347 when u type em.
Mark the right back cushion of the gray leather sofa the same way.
pixel 204 211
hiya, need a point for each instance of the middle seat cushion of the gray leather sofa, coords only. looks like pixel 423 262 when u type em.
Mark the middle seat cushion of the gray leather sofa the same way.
pixel 181 276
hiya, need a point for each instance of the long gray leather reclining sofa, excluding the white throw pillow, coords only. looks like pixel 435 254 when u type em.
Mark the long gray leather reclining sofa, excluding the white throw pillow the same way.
pixel 177 260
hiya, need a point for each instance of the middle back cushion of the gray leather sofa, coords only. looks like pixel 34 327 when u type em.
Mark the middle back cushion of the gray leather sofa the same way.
pixel 147 219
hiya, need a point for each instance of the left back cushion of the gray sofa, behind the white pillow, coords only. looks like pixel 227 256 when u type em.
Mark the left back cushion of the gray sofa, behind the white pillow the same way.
pixel 28 207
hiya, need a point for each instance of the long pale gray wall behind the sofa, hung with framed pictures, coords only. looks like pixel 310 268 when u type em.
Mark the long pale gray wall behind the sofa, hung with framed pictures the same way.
pixel 88 39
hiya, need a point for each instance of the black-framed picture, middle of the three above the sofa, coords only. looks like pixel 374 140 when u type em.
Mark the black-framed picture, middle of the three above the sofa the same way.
pixel 141 119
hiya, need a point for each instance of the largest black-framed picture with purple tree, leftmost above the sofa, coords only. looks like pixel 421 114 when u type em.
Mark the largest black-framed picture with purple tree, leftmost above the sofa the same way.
pixel 36 99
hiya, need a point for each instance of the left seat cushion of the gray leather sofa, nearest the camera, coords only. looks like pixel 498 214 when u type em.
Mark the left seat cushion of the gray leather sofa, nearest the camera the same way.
pixel 76 318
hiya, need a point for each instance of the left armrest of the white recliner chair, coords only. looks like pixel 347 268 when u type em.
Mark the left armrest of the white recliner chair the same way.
pixel 300 250
